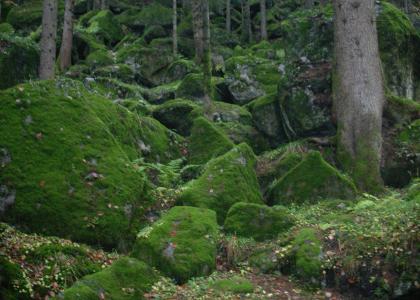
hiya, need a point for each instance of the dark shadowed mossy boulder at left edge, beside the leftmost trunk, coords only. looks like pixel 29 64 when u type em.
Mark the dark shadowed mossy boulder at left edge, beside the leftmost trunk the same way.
pixel 19 60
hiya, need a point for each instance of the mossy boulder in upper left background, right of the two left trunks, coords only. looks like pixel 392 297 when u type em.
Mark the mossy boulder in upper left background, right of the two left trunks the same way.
pixel 105 27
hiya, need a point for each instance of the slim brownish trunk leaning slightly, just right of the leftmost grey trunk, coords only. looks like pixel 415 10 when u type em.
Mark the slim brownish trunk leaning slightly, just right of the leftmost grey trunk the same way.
pixel 67 40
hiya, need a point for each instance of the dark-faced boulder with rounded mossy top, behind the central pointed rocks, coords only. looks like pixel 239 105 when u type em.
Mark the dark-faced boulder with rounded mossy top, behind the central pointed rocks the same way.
pixel 177 114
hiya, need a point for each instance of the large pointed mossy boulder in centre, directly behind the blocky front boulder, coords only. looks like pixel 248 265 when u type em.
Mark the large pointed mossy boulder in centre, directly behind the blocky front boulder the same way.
pixel 226 180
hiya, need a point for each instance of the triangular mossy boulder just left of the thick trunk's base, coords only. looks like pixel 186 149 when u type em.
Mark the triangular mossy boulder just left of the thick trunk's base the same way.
pixel 311 180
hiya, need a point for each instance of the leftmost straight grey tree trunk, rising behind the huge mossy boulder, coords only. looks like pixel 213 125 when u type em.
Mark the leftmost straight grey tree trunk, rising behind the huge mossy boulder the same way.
pixel 48 39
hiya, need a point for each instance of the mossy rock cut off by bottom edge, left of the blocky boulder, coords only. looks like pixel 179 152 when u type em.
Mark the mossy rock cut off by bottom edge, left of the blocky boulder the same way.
pixel 126 279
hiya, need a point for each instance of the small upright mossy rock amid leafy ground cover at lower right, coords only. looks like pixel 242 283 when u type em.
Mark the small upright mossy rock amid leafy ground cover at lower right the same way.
pixel 308 255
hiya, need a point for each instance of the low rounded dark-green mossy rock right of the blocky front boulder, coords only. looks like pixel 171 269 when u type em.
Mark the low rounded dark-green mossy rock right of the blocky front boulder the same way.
pixel 260 222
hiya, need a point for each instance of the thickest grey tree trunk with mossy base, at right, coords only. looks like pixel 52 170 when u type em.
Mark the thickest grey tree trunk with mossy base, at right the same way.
pixel 358 92
